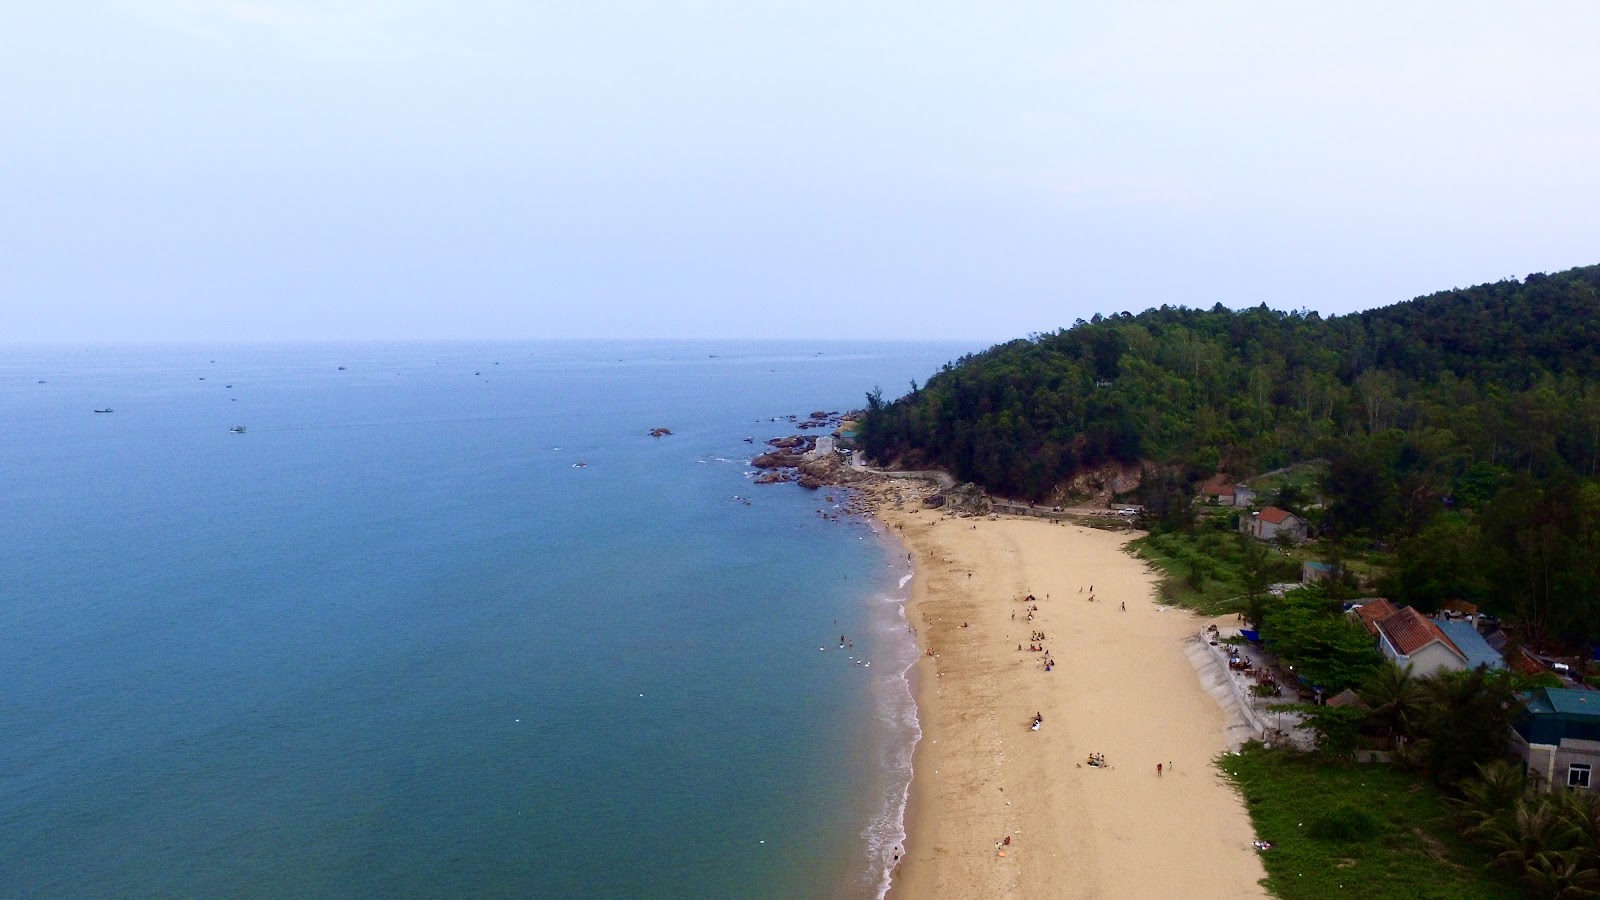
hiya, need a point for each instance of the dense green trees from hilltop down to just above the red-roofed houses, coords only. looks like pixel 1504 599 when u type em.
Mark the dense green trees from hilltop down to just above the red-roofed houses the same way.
pixel 1463 427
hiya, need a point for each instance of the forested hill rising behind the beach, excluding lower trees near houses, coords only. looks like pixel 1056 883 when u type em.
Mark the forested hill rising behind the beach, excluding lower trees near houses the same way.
pixel 1439 393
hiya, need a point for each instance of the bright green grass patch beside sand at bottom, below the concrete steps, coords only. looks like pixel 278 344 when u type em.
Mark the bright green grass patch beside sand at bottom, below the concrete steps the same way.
pixel 1358 832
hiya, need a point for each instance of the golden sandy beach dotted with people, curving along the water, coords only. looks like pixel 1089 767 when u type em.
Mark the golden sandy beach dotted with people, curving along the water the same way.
pixel 1121 686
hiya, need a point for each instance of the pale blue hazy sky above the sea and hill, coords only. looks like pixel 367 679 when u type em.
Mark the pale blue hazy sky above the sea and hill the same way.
pixel 220 171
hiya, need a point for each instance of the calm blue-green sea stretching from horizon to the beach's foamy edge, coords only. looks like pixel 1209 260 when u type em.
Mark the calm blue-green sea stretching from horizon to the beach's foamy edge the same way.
pixel 394 643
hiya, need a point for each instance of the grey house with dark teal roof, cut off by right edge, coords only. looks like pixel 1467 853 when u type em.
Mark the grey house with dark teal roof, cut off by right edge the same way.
pixel 1558 736
